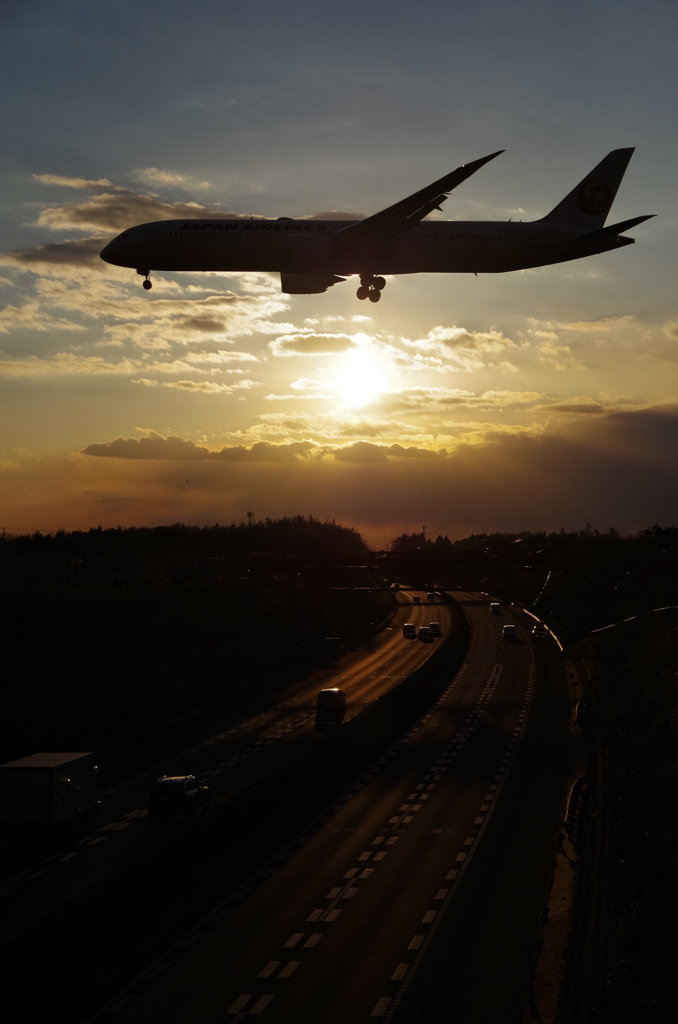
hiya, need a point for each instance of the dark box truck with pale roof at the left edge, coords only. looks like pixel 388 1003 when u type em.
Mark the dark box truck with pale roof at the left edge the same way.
pixel 49 791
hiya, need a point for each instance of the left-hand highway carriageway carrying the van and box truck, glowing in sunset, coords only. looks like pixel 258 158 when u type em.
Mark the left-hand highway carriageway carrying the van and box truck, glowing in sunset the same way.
pixel 37 879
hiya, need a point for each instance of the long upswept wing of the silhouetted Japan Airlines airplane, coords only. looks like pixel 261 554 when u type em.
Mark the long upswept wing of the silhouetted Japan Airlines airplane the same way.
pixel 397 220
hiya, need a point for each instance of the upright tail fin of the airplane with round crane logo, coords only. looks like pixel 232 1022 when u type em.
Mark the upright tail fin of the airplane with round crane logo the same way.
pixel 587 206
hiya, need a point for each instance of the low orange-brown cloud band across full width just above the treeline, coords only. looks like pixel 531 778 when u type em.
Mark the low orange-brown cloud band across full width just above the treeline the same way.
pixel 613 470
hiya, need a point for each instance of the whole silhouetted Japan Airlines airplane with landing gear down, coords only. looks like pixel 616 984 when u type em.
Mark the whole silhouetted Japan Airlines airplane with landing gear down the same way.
pixel 313 255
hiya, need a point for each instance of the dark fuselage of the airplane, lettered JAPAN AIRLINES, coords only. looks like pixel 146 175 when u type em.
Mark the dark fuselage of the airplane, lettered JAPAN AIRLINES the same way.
pixel 289 246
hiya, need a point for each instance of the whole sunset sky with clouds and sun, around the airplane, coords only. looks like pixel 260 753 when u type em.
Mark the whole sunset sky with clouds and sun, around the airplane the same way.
pixel 539 400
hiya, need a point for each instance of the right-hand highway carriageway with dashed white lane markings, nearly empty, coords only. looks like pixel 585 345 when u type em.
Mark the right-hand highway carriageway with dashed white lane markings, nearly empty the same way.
pixel 416 894
